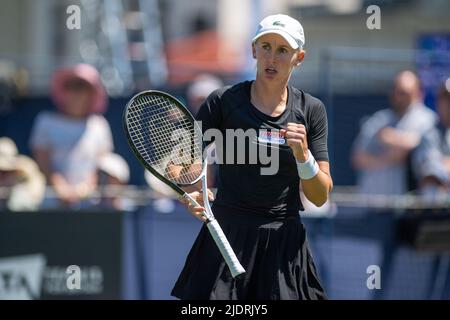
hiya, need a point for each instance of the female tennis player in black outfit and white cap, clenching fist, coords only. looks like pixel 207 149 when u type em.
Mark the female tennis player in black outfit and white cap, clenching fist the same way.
pixel 259 213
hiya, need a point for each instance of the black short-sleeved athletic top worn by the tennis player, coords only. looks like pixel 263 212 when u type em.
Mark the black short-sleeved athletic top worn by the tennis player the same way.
pixel 241 185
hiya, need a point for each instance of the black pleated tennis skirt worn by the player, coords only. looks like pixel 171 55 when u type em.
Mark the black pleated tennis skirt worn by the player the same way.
pixel 274 252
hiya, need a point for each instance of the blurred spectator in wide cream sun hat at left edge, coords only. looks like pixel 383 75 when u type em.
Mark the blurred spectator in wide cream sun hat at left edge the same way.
pixel 22 184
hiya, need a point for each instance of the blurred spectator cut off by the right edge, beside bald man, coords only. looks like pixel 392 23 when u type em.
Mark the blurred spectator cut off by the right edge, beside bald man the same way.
pixel 432 157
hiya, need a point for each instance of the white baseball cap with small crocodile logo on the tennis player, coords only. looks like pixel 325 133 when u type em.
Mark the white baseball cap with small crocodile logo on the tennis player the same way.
pixel 284 25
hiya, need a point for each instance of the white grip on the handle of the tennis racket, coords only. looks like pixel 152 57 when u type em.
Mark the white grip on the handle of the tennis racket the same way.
pixel 225 248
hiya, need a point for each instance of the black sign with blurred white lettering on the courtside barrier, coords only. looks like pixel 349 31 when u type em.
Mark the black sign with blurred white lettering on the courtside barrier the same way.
pixel 60 255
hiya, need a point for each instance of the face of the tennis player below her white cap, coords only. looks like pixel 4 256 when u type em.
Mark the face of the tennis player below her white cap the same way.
pixel 275 58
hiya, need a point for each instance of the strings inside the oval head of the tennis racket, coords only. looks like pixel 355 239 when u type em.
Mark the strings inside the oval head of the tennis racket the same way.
pixel 166 138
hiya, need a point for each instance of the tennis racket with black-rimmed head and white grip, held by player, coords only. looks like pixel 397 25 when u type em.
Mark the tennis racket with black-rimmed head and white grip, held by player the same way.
pixel 168 142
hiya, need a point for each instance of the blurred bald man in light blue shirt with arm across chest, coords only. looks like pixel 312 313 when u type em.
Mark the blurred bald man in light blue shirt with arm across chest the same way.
pixel 381 151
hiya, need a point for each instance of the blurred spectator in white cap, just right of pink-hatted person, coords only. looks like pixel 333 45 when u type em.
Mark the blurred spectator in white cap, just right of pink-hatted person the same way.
pixel 113 175
